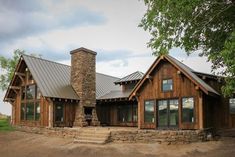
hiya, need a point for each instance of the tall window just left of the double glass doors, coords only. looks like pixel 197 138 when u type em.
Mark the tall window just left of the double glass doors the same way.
pixel 149 111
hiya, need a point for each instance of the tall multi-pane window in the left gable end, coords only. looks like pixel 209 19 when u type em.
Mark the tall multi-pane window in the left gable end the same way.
pixel 30 102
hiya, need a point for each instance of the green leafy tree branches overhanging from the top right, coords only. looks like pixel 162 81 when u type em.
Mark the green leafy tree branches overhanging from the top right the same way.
pixel 205 25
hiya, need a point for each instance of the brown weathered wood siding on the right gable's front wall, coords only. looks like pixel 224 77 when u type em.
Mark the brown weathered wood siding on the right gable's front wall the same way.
pixel 182 87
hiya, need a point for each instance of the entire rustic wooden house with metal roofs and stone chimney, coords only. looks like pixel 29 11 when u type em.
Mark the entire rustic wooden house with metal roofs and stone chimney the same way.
pixel 170 95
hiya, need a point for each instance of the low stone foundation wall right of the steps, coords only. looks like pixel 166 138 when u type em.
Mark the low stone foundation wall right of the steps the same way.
pixel 160 136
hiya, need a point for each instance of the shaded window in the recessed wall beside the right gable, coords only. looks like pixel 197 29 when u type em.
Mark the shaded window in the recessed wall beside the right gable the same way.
pixel 127 113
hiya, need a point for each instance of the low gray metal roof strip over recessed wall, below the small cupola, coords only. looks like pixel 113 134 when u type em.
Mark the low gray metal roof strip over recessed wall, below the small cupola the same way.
pixel 116 94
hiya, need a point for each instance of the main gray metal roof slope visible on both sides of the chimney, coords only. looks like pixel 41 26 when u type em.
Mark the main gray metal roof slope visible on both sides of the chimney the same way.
pixel 53 79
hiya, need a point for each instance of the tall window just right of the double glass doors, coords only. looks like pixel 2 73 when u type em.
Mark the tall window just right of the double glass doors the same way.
pixel 188 110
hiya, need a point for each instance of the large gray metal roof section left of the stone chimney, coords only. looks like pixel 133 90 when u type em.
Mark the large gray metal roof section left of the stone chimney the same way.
pixel 52 78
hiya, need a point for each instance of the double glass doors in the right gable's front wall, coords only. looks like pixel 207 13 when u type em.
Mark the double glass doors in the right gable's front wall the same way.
pixel 168 113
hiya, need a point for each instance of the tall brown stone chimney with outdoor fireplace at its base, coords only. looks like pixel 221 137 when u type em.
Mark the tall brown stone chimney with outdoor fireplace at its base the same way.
pixel 83 81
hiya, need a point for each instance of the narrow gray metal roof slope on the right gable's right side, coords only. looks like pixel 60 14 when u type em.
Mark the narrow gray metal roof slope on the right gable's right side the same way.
pixel 191 73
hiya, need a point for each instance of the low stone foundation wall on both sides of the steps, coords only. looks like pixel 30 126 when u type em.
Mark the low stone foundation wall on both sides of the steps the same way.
pixel 133 136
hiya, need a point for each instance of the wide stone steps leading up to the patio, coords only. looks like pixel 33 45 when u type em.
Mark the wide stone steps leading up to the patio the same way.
pixel 93 136
